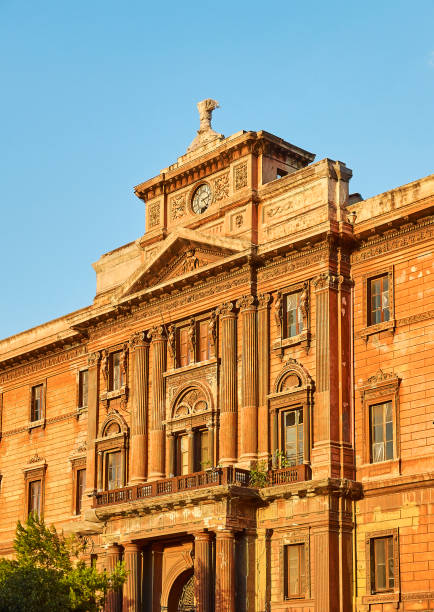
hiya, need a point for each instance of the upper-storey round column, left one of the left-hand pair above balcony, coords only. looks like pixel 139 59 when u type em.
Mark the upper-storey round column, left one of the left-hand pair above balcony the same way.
pixel 139 350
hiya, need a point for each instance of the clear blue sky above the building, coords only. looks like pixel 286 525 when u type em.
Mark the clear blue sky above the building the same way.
pixel 99 96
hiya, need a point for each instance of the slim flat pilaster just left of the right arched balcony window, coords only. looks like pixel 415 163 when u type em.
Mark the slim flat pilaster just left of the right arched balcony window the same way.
pixel 263 375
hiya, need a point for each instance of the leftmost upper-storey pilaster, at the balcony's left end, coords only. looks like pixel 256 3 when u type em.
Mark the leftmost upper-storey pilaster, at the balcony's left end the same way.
pixel 92 428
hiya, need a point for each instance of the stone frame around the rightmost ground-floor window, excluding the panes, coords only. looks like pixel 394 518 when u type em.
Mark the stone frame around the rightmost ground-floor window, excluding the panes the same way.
pixel 373 595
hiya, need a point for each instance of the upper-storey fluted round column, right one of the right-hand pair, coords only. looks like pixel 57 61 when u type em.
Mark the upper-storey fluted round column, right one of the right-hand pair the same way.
pixel 249 413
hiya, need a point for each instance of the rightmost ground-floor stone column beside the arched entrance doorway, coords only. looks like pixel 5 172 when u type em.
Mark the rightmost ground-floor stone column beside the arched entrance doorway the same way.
pixel 225 571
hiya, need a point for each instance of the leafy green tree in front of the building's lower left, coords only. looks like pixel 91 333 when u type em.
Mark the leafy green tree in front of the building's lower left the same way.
pixel 49 575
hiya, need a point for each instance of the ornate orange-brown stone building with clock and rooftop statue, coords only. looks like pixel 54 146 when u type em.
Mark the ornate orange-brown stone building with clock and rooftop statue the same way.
pixel 243 414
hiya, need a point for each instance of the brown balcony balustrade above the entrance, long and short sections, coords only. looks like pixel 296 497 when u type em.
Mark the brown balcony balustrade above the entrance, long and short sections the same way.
pixel 199 480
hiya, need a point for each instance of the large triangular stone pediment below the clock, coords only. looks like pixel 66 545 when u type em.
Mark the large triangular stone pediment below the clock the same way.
pixel 183 253
